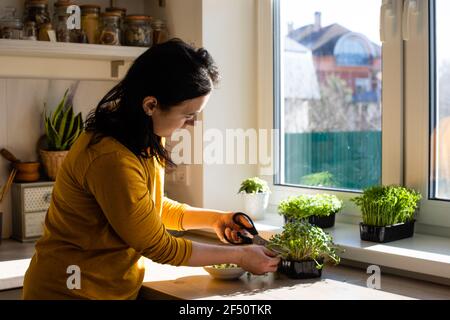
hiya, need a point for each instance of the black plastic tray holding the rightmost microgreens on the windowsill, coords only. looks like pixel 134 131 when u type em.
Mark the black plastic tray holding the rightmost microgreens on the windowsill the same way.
pixel 387 233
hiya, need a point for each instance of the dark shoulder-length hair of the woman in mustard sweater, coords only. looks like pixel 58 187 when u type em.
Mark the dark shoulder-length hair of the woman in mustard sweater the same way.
pixel 172 72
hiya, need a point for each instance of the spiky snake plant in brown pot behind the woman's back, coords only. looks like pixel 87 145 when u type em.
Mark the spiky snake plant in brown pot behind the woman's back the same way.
pixel 62 128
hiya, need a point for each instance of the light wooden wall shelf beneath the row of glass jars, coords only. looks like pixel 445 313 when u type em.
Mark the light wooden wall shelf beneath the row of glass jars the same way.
pixel 56 60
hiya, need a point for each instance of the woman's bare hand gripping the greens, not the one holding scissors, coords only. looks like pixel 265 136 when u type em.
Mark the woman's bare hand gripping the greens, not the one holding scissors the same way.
pixel 258 259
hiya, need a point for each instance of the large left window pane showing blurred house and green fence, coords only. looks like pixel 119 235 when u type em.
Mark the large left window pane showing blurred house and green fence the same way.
pixel 330 94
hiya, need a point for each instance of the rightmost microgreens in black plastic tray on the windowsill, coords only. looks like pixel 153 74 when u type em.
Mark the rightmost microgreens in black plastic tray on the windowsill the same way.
pixel 387 213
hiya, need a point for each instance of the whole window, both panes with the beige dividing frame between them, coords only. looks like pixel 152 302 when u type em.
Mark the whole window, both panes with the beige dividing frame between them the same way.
pixel 355 107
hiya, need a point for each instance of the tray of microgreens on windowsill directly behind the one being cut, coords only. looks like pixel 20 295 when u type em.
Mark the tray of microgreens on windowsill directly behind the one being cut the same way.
pixel 319 209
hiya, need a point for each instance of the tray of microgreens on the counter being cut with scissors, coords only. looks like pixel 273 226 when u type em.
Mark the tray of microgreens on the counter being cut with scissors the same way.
pixel 306 248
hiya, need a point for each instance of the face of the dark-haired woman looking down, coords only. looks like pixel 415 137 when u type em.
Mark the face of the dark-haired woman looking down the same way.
pixel 180 116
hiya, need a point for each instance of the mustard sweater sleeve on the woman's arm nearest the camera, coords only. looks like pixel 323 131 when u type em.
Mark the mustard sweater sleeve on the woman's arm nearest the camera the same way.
pixel 118 183
